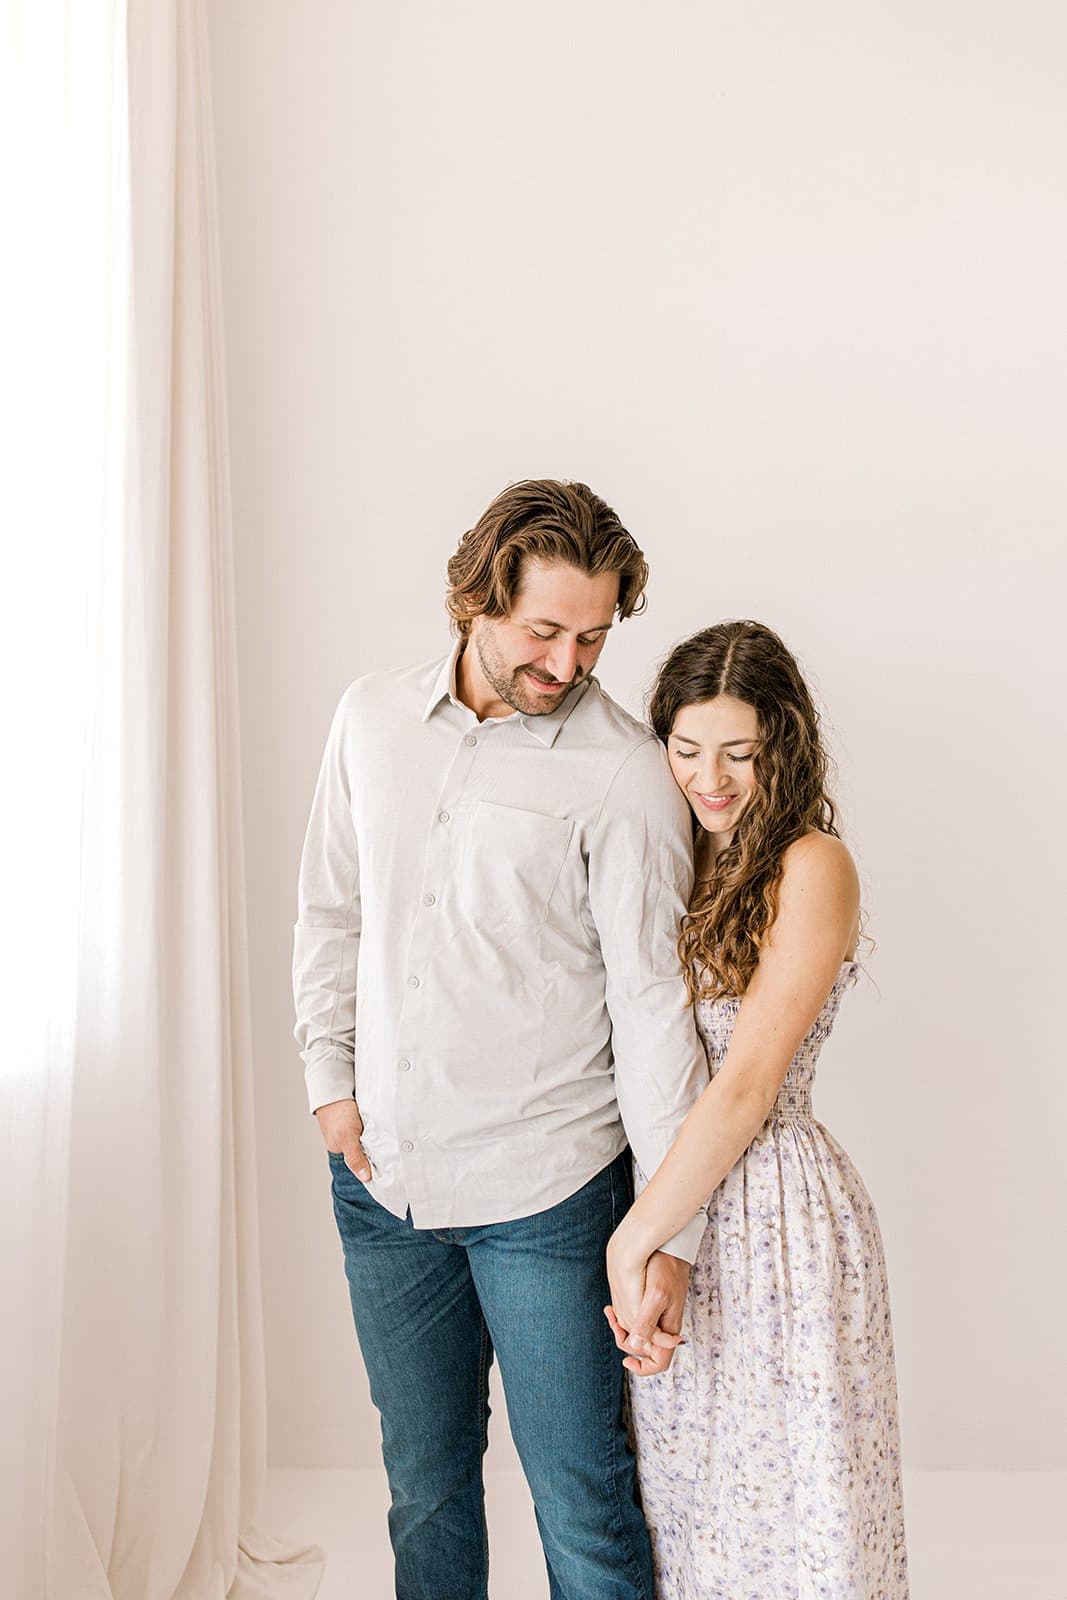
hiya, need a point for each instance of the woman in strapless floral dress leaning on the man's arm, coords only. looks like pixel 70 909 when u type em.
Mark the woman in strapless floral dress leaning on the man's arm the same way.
pixel 769 1452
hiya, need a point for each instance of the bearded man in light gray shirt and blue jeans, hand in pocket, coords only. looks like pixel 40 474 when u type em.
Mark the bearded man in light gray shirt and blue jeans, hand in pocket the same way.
pixel 489 1006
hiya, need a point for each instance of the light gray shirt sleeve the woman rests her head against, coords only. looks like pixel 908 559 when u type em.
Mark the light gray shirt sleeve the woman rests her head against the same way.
pixel 641 878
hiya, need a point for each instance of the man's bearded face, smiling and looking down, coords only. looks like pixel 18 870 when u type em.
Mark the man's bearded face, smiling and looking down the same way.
pixel 551 641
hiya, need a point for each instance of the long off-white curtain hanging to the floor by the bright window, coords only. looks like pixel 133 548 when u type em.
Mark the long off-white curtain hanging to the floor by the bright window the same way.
pixel 140 1119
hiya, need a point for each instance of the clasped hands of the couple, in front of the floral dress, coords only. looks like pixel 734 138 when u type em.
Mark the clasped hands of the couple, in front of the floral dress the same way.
pixel 647 1306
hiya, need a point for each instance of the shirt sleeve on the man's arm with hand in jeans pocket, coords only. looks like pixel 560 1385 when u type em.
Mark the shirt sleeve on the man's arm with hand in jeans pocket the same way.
pixel 327 940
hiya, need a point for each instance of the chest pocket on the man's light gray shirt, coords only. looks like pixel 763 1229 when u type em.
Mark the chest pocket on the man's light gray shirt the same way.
pixel 511 866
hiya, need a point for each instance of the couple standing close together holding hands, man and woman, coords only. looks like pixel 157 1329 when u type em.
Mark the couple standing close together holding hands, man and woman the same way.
pixel 516 954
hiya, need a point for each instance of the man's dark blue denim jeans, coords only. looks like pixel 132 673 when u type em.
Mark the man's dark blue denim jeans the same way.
pixel 433 1306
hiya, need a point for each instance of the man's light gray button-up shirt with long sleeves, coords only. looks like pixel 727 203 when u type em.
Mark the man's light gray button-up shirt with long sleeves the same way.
pixel 487 946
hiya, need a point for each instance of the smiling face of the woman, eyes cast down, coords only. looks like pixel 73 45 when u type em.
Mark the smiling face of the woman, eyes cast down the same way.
pixel 711 751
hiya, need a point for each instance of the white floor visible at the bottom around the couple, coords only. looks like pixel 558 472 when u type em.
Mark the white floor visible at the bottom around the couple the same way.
pixel 972 1535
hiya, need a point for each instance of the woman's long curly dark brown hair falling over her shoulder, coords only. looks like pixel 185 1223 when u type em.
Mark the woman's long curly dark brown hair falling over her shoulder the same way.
pixel 732 914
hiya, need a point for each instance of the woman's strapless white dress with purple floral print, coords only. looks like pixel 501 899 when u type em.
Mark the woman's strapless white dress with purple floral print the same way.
pixel 769 1452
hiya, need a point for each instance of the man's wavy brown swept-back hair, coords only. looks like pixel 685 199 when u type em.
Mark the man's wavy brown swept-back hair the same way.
pixel 554 522
